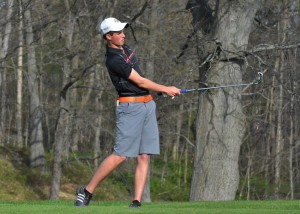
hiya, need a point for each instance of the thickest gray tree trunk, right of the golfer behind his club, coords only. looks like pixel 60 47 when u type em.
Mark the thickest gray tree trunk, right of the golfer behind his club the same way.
pixel 220 121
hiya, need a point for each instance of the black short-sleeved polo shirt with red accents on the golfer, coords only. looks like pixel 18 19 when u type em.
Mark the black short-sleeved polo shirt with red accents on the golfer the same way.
pixel 119 66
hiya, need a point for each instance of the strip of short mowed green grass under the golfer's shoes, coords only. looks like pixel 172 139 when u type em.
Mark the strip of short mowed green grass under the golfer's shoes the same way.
pixel 229 207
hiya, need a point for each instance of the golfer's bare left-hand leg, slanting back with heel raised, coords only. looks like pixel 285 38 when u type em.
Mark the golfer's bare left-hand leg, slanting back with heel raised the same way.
pixel 106 167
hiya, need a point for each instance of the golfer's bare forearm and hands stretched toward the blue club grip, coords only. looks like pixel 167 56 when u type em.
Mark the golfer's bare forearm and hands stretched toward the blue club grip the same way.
pixel 150 85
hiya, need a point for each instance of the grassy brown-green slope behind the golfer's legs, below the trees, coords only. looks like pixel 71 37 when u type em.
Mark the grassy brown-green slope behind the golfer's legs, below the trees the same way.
pixel 19 182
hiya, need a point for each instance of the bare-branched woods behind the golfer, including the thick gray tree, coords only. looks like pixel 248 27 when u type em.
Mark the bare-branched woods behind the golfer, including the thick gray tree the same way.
pixel 242 143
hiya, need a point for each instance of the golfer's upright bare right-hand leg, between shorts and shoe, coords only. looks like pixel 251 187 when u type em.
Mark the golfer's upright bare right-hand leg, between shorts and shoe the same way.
pixel 141 174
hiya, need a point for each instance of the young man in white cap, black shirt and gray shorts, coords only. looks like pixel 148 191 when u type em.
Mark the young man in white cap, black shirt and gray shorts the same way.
pixel 136 124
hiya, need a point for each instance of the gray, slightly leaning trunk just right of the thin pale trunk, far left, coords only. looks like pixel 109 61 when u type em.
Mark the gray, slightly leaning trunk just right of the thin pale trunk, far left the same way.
pixel 37 153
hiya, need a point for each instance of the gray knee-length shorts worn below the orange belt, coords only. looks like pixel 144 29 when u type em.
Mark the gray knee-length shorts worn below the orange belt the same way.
pixel 136 129
